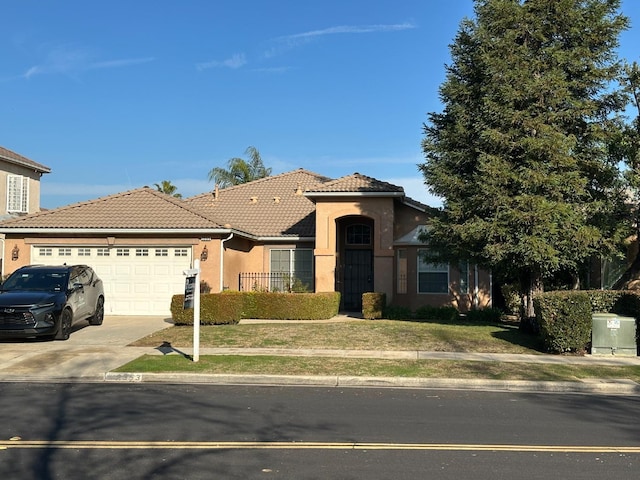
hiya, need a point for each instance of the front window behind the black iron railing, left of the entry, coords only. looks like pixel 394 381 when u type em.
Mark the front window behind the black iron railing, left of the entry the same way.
pixel 291 269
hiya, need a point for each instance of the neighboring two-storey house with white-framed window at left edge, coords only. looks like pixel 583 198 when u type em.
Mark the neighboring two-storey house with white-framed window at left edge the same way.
pixel 19 184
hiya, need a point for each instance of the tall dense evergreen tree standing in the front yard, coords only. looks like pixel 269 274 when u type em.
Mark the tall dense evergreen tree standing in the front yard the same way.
pixel 518 152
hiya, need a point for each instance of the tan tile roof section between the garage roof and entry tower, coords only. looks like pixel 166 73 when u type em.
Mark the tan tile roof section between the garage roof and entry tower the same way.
pixel 270 207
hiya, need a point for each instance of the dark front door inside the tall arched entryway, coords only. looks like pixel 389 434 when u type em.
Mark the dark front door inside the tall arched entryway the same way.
pixel 358 277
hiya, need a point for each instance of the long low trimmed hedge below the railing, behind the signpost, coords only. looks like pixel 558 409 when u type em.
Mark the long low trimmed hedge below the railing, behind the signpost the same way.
pixel 230 307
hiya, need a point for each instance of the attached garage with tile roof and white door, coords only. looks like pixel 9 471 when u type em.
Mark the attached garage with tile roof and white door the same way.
pixel 139 242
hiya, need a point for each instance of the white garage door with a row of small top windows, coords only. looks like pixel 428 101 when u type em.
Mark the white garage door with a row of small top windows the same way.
pixel 137 280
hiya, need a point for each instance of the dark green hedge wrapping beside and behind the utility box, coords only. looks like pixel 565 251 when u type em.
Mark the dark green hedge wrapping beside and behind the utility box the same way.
pixel 565 317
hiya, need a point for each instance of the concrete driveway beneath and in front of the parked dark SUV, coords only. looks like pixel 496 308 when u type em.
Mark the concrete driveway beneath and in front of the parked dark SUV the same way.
pixel 90 352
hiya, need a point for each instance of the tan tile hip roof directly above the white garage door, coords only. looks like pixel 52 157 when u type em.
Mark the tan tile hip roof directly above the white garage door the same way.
pixel 144 208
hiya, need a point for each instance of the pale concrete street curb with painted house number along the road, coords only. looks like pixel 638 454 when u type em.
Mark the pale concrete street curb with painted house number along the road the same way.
pixel 597 386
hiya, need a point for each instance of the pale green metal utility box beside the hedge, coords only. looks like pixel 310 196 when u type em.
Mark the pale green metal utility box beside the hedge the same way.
pixel 612 334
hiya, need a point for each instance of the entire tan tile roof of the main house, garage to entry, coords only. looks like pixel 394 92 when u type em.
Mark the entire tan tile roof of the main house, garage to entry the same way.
pixel 277 206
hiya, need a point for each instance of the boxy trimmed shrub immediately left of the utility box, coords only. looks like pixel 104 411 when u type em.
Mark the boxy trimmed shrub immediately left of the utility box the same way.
pixel 565 320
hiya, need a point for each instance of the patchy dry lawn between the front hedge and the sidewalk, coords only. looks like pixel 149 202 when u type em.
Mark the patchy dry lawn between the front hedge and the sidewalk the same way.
pixel 355 335
